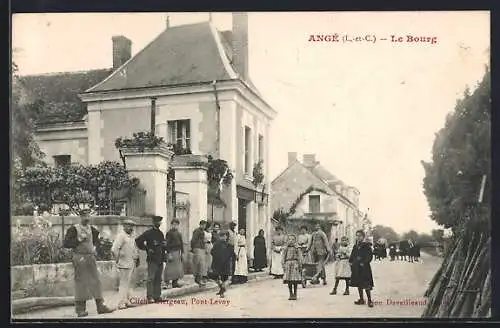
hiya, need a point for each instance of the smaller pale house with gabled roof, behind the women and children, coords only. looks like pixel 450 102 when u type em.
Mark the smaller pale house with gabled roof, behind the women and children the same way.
pixel 306 190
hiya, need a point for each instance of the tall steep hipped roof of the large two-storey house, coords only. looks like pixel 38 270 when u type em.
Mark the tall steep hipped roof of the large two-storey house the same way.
pixel 179 55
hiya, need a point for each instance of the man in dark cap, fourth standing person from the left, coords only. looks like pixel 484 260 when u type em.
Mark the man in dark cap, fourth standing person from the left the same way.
pixel 174 252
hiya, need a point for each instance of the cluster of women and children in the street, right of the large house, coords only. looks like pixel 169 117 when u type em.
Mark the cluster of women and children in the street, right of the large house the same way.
pixel 290 253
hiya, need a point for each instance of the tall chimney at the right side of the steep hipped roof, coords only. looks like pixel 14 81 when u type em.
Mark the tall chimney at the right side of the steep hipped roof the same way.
pixel 240 44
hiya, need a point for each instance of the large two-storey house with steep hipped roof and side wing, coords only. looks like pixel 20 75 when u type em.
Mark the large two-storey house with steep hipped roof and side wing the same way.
pixel 196 81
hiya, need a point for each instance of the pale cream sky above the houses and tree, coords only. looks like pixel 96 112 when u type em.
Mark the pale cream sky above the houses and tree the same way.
pixel 369 111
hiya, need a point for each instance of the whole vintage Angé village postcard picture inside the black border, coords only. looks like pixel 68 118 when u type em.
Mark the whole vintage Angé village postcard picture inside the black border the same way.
pixel 250 165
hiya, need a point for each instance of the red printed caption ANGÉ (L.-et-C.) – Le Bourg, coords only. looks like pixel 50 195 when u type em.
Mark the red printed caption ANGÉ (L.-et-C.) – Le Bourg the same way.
pixel 372 38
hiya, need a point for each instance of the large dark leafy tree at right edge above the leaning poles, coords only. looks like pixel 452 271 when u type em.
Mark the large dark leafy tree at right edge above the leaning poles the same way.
pixel 460 157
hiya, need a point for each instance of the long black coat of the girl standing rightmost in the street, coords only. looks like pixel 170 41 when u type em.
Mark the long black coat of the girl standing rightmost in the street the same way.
pixel 360 259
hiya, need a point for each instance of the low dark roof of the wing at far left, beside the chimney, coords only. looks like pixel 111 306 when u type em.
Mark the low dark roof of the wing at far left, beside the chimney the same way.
pixel 57 93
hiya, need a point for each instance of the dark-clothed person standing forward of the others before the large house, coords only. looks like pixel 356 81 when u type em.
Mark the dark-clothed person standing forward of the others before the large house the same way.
pixel 222 256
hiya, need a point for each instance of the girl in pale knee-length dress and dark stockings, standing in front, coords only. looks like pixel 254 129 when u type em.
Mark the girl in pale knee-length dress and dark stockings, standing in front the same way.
pixel 292 266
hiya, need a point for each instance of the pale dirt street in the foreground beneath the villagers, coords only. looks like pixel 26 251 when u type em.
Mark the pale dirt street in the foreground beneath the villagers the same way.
pixel 395 282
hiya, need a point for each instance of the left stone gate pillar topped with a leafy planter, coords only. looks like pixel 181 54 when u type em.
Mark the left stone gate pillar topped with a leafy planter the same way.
pixel 151 167
